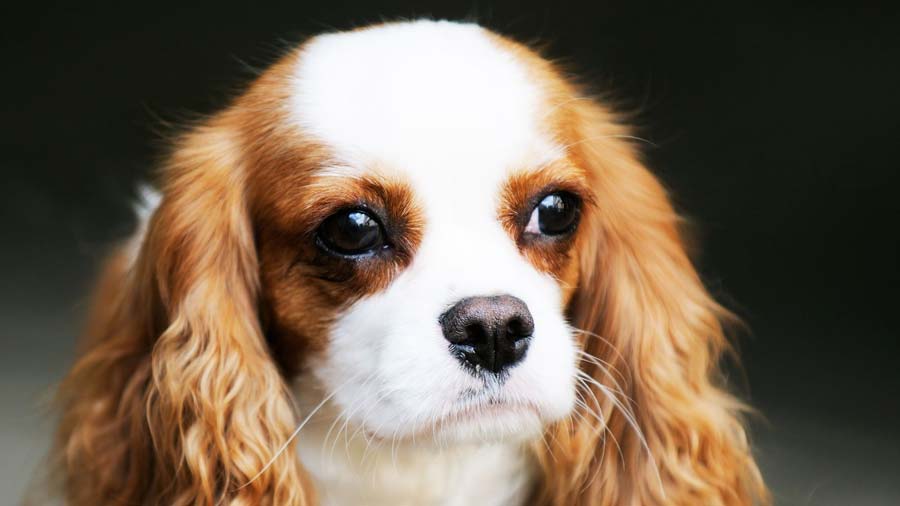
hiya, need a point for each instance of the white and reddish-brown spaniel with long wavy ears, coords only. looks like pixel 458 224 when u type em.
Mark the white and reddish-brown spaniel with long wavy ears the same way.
pixel 413 264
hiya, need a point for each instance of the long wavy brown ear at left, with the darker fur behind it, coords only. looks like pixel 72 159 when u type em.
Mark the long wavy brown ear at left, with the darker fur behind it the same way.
pixel 176 399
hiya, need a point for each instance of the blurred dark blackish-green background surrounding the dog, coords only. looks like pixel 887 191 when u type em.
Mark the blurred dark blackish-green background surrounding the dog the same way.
pixel 775 127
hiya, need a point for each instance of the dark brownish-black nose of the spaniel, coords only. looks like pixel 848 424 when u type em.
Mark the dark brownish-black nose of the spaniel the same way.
pixel 488 332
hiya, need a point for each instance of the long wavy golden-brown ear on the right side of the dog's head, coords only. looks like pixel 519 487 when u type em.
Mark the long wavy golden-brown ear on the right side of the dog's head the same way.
pixel 655 426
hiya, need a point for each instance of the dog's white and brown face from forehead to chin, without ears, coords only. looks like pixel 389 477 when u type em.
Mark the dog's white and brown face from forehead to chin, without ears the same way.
pixel 448 203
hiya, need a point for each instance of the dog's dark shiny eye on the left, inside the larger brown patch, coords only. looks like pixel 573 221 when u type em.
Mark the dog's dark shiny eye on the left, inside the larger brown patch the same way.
pixel 351 232
